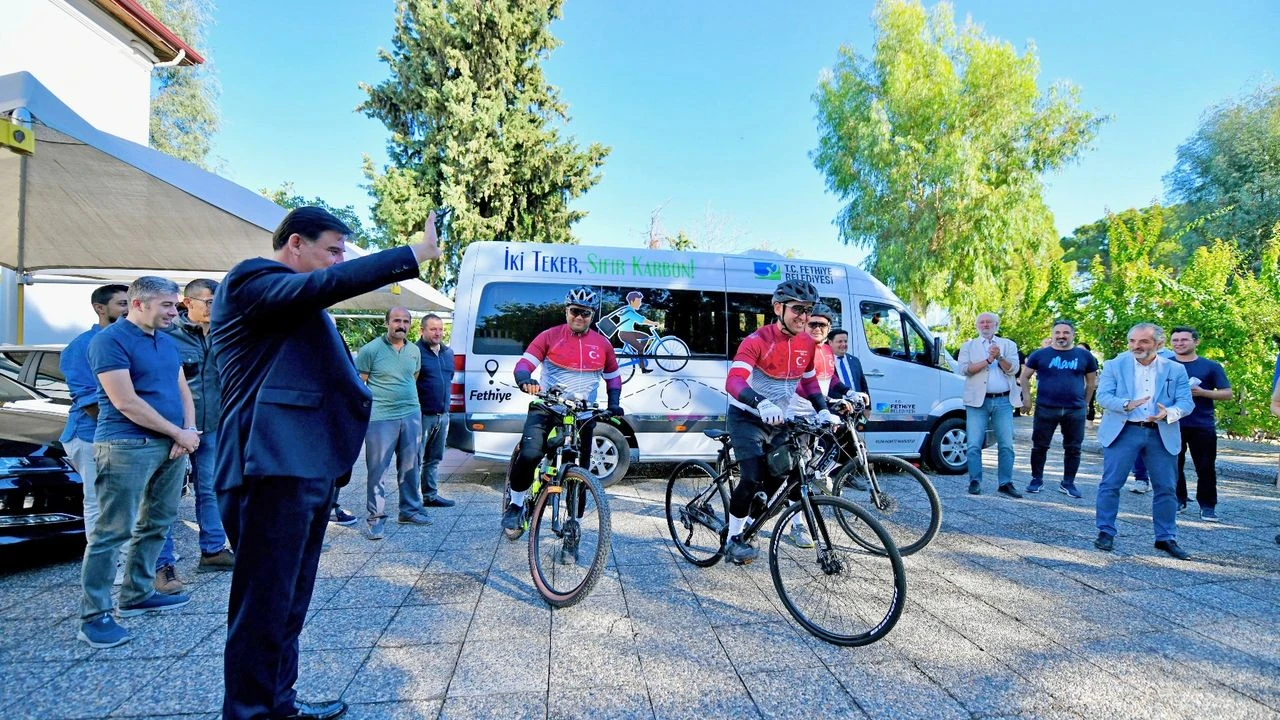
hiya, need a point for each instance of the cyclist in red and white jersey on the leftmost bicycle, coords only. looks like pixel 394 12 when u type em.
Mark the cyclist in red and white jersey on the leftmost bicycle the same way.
pixel 574 358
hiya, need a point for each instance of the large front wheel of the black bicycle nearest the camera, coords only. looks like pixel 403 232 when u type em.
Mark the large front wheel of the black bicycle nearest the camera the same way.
pixel 839 591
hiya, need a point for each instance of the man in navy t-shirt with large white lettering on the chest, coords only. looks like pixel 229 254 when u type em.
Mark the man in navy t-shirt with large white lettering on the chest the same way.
pixel 1067 377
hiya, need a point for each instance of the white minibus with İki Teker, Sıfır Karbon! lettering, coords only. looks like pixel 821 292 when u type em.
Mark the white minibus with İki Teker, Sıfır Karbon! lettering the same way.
pixel 697 308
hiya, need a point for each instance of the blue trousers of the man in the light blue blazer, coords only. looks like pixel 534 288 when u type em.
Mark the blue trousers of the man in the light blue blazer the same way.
pixel 1118 458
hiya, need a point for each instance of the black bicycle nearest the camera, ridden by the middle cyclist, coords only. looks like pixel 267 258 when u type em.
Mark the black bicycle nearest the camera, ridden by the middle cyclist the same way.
pixel 844 590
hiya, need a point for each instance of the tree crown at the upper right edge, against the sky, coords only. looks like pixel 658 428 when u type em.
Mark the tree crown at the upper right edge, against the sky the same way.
pixel 1231 170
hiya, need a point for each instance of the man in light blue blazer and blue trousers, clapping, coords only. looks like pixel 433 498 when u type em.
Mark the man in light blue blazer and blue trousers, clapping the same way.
pixel 1144 397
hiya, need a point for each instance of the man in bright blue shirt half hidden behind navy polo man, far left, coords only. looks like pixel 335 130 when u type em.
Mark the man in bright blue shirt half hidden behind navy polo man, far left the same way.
pixel 111 303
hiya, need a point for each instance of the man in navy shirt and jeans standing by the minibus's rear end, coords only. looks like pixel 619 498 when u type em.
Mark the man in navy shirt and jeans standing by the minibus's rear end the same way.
pixel 433 398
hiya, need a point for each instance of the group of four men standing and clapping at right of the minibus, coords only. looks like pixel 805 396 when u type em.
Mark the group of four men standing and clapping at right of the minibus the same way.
pixel 1159 409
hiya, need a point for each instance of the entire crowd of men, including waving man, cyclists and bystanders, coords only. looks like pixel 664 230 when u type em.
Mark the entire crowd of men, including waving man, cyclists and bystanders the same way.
pixel 248 389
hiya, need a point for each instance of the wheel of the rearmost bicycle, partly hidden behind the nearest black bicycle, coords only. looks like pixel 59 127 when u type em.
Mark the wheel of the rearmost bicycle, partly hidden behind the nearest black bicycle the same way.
pixel 907 504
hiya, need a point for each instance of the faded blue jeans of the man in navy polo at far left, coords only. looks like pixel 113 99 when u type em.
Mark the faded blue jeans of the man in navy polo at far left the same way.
pixel 138 490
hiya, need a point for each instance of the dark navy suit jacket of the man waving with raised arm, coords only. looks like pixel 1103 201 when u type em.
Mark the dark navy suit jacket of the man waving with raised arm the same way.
pixel 292 402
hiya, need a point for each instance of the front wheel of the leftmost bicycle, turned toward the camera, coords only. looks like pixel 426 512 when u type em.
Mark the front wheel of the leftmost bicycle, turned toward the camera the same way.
pixel 569 539
